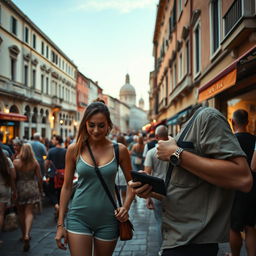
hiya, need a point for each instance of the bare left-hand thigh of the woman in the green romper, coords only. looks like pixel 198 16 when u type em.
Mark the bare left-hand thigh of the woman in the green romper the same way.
pixel 80 244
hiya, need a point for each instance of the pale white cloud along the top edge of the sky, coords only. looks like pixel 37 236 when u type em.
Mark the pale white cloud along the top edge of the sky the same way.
pixel 122 6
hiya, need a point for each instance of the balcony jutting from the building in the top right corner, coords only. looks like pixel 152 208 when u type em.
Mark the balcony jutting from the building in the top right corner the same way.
pixel 239 22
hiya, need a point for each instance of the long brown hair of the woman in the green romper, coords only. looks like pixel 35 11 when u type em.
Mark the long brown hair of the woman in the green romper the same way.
pixel 94 108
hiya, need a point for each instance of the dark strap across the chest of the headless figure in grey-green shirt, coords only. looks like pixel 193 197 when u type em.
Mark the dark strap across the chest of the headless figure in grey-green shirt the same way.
pixel 180 142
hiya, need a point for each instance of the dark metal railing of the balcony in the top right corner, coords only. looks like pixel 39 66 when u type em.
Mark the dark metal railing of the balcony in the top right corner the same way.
pixel 238 10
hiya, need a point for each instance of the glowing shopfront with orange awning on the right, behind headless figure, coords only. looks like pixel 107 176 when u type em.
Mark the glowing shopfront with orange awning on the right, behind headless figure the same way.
pixel 234 88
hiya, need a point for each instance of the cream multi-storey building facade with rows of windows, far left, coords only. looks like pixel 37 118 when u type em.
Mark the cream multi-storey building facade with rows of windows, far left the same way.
pixel 37 80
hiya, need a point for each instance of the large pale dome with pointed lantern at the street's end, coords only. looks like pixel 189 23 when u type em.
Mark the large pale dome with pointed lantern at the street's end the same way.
pixel 127 92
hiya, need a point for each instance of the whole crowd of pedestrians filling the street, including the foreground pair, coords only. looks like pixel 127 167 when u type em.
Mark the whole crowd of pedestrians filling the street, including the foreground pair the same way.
pixel 209 172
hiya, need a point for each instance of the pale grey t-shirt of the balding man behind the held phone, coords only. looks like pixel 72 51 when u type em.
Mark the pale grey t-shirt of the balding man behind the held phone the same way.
pixel 159 167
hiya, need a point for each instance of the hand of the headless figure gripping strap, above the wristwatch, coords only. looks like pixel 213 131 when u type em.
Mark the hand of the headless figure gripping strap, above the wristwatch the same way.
pixel 165 149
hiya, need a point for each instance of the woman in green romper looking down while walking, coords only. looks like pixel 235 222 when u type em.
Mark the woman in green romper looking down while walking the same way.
pixel 91 222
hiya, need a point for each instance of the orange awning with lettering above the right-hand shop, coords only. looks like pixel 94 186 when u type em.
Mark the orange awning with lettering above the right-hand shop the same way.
pixel 227 77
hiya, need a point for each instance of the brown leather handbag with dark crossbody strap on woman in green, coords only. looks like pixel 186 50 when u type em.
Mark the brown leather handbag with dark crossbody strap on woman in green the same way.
pixel 125 228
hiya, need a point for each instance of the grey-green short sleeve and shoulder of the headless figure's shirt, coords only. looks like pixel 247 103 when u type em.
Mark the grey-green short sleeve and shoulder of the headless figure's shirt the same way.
pixel 216 137
